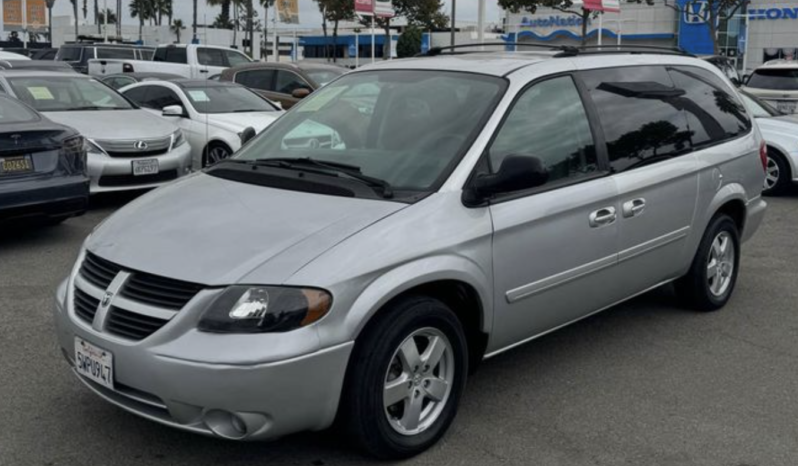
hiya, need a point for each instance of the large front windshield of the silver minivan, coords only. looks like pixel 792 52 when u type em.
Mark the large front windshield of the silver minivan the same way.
pixel 406 128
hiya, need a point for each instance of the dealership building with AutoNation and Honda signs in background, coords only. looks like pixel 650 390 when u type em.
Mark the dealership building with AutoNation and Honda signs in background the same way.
pixel 766 31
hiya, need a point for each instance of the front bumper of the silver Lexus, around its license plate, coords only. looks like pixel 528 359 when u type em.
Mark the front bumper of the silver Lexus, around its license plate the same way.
pixel 109 174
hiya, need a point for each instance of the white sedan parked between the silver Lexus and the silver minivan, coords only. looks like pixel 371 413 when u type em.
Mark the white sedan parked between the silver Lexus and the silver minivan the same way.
pixel 214 116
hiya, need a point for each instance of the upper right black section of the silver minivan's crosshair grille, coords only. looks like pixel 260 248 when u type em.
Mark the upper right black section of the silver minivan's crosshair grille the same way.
pixel 159 291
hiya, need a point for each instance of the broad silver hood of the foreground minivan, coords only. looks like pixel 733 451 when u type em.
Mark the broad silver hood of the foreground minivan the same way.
pixel 216 232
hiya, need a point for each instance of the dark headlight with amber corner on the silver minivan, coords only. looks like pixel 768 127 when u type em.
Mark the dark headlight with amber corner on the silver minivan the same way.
pixel 261 309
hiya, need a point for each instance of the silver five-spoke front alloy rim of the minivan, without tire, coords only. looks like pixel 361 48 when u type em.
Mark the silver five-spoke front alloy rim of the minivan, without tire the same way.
pixel 418 381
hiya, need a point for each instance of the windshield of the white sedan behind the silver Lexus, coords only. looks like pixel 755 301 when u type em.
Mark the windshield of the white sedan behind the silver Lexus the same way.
pixel 226 99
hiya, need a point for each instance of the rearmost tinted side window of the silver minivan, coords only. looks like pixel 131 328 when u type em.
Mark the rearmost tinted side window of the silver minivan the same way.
pixel 713 113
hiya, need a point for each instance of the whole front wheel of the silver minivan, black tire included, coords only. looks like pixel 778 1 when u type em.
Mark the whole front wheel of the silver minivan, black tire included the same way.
pixel 379 360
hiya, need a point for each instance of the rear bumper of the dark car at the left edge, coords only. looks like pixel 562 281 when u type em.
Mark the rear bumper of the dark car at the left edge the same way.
pixel 54 197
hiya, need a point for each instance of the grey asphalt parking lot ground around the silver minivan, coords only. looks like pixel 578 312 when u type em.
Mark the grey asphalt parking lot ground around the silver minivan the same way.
pixel 645 383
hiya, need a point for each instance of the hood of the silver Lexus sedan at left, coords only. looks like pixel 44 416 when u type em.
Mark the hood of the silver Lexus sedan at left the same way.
pixel 108 125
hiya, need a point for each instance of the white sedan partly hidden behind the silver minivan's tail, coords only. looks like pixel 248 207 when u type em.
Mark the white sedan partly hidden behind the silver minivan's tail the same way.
pixel 781 134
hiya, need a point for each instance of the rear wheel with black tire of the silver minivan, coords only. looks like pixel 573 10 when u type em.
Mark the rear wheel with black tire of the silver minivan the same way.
pixel 709 284
